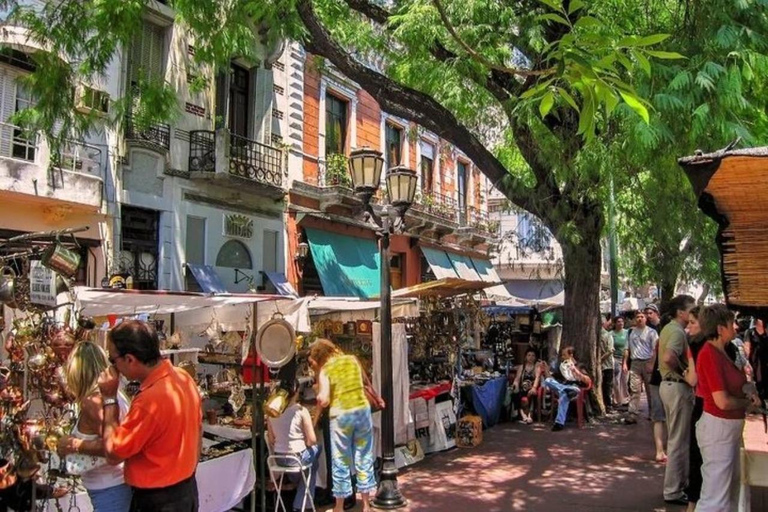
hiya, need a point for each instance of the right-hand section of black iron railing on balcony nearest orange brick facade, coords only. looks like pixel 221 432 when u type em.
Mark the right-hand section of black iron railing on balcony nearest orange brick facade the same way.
pixel 255 161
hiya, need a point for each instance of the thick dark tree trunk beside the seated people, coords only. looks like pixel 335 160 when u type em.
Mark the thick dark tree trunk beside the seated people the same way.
pixel 582 302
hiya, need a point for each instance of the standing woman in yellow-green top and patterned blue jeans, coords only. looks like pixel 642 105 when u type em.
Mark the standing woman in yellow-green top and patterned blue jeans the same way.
pixel 340 380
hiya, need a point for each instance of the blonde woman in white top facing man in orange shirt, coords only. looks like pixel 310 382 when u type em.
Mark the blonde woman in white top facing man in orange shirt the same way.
pixel 104 482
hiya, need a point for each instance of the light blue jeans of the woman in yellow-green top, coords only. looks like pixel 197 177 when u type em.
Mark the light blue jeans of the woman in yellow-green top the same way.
pixel 352 440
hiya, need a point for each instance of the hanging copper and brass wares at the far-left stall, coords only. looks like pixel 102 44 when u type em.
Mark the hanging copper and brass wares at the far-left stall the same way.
pixel 40 328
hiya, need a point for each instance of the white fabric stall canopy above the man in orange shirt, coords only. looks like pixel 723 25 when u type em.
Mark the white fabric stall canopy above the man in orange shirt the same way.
pixel 101 302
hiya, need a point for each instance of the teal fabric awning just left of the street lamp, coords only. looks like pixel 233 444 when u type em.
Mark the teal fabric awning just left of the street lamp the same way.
pixel 348 266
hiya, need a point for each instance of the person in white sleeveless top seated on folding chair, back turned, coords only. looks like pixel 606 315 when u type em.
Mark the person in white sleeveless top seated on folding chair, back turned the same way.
pixel 292 433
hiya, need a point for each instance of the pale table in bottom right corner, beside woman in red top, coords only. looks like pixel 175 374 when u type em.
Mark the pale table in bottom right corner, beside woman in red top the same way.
pixel 754 466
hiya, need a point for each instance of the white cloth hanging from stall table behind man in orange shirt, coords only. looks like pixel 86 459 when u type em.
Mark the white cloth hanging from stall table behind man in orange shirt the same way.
pixel 222 483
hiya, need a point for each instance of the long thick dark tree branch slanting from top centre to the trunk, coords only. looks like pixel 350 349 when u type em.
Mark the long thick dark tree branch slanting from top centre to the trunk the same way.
pixel 414 105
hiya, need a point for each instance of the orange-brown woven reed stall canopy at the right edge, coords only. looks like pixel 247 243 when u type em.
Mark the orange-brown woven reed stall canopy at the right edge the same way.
pixel 722 181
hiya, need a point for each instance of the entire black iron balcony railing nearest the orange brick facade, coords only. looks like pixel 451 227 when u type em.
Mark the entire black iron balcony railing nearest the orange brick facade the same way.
pixel 248 159
